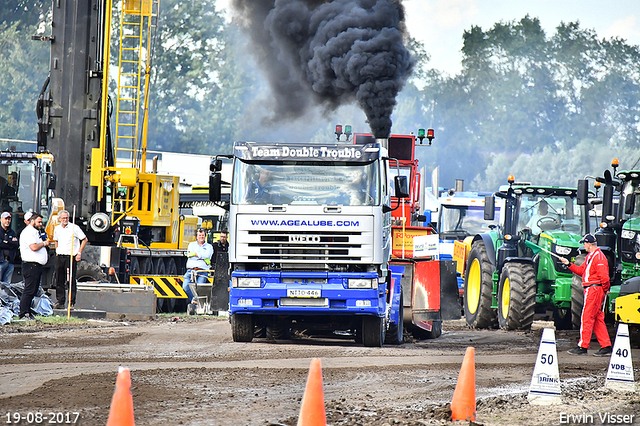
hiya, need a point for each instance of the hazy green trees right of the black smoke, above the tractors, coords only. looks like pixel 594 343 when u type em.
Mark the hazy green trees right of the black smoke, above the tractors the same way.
pixel 522 97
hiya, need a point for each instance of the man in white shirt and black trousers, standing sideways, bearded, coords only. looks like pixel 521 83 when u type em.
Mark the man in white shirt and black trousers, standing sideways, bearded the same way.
pixel 33 251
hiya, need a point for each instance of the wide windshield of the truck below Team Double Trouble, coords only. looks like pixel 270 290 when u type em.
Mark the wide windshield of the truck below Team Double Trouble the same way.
pixel 307 183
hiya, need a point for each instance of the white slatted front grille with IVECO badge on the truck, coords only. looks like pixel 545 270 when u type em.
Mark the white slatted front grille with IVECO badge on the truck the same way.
pixel 309 247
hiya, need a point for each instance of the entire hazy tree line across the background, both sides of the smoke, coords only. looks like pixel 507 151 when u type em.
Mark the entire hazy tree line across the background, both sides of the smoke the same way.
pixel 547 108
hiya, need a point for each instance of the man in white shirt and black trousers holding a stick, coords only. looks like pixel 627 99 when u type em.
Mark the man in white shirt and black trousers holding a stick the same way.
pixel 64 235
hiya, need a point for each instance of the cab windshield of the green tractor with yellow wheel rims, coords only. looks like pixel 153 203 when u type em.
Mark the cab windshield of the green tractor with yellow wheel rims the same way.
pixel 541 213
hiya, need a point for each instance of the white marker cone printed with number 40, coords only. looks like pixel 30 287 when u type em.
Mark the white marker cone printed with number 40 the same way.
pixel 620 374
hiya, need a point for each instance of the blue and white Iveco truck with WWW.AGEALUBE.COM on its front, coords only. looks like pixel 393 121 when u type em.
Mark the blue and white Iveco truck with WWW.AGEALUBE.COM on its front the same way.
pixel 310 240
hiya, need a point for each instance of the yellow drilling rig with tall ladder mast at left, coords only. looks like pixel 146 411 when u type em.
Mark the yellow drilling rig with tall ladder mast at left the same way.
pixel 98 137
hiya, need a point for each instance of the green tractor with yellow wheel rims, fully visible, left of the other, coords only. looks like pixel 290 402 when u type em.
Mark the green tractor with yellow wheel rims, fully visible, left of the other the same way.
pixel 513 271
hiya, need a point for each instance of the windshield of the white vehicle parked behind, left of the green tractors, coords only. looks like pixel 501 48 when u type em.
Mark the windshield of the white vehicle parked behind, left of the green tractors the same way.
pixel 458 222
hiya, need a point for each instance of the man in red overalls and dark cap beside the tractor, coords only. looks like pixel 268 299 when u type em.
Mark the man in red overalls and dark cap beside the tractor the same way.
pixel 595 282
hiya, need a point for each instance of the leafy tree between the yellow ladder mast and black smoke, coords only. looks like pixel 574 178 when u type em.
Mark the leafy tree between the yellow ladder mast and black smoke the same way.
pixel 197 89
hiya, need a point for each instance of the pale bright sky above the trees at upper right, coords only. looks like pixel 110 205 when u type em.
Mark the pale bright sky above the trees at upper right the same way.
pixel 439 24
